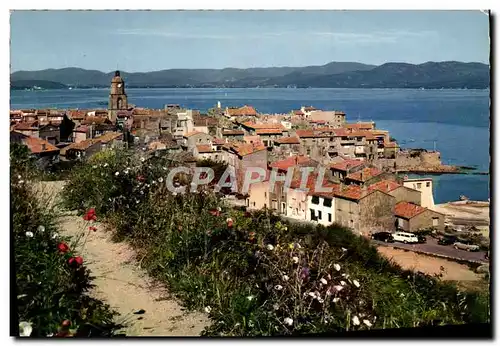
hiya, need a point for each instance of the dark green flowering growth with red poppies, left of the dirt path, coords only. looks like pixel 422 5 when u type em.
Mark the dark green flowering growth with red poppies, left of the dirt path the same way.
pixel 51 280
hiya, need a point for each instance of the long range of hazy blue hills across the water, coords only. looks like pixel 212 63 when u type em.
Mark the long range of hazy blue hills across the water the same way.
pixel 430 75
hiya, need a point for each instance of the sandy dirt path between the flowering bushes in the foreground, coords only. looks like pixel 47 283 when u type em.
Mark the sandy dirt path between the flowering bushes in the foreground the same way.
pixel 126 287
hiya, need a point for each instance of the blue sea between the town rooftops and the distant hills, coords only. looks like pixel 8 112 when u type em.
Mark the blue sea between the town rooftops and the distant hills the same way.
pixel 454 122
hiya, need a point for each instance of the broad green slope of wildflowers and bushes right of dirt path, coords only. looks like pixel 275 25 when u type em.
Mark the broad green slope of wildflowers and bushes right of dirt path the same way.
pixel 257 275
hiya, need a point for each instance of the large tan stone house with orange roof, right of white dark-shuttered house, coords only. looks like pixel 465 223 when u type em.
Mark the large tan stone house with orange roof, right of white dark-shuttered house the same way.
pixel 364 211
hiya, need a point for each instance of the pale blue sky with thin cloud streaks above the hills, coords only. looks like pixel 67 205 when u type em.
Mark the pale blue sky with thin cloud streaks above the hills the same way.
pixel 137 41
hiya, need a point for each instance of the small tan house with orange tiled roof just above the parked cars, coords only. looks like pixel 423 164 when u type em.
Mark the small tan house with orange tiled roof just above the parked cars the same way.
pixel 411 217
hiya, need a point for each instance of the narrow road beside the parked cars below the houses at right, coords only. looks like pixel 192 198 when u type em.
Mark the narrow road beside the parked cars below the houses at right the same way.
pixel 432 247
